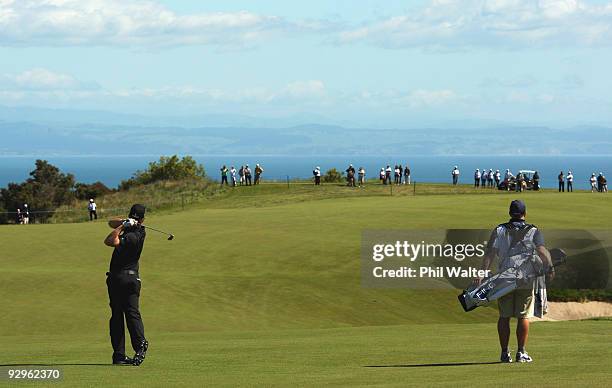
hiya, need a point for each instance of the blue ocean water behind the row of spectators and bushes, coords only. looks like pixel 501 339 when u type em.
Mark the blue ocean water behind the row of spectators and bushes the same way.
pixel 112 169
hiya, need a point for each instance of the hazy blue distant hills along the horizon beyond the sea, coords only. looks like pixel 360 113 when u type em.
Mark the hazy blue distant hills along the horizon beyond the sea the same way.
pixel 69 139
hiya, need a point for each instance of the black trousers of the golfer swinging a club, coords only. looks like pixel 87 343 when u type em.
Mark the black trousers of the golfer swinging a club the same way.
pixel 123 292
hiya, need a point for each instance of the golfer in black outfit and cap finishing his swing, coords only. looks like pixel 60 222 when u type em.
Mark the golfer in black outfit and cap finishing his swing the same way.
pixel 123 282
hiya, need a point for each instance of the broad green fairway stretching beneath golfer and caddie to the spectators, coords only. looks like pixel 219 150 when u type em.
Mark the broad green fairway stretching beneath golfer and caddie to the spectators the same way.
pixel 262 287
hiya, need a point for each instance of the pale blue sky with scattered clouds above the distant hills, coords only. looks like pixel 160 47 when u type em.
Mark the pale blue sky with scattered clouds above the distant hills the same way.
pixel 368 63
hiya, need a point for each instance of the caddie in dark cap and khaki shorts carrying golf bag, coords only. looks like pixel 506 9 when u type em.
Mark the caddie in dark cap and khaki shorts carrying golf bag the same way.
pixel 506 240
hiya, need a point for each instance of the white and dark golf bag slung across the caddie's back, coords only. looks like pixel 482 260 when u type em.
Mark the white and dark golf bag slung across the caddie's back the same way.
pixel 526 267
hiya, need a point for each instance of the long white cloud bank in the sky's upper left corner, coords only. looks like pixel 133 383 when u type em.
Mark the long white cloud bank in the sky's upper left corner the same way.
pixel 124 23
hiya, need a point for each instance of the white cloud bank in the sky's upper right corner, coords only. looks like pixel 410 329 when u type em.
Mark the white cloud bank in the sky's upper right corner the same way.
pixel 452 24
